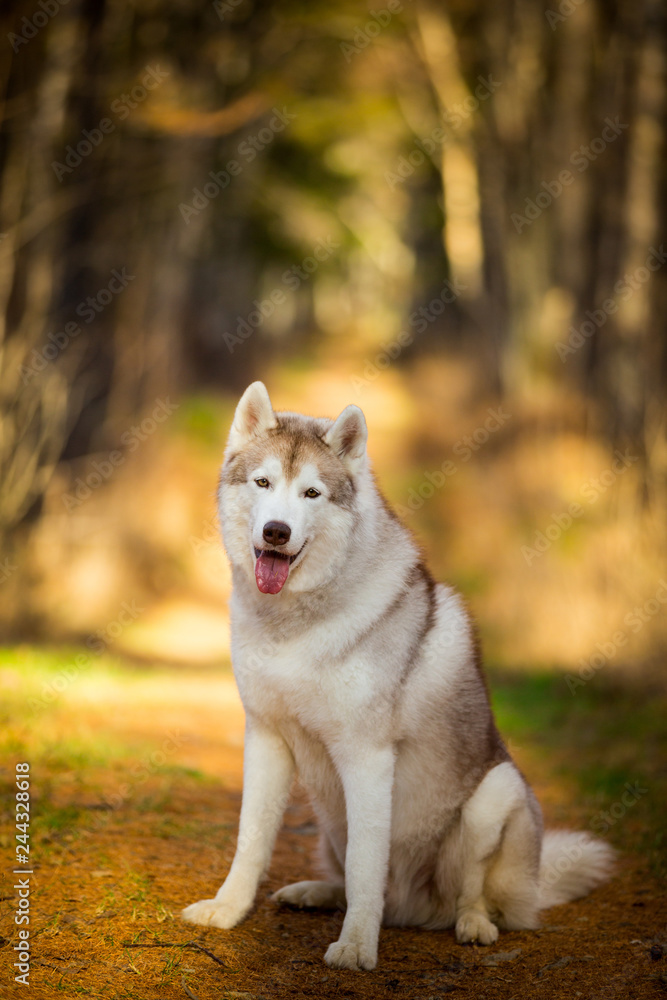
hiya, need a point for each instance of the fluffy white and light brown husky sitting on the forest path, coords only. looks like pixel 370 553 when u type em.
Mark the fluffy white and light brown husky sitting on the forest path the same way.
pixel 361 674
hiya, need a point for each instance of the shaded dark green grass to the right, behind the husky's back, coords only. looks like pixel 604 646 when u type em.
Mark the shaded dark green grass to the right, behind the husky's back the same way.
pixel 602 738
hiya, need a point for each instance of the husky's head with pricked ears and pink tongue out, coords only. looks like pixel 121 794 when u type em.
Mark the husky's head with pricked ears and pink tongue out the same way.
pixel 289 492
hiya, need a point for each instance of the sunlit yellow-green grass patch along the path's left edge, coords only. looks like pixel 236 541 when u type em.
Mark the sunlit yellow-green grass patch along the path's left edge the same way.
pixel 80 771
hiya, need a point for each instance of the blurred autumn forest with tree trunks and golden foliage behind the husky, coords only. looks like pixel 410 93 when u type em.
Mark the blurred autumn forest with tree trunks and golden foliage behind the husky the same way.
pixel 449 213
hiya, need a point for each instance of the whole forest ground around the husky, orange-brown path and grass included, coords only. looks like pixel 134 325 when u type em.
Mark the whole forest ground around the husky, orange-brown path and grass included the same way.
pixel 135 791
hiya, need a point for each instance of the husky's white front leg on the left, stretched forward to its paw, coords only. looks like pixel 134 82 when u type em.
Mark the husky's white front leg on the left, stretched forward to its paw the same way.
pixel 268 767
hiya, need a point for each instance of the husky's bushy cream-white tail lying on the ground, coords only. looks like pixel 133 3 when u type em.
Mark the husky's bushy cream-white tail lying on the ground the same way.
pixel 572 864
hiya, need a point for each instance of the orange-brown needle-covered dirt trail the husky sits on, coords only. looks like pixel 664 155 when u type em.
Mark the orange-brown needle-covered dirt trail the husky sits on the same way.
pixel 109 889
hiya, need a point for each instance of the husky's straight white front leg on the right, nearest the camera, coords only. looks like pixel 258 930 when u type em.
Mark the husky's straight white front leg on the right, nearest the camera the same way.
pixel 367 780
